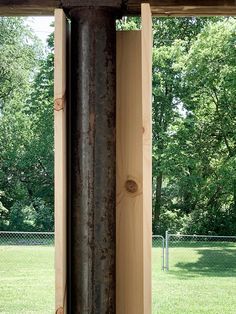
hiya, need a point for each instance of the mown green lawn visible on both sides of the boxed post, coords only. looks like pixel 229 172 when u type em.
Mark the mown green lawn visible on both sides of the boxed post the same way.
pixel 201 280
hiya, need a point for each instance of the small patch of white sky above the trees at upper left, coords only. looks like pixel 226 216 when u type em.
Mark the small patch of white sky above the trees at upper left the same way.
pixel 41 26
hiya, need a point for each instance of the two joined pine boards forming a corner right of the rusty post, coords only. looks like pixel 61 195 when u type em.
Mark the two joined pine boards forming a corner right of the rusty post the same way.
pixel 134 168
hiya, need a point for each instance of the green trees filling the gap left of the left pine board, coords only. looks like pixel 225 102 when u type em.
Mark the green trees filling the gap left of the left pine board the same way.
pixel 26 131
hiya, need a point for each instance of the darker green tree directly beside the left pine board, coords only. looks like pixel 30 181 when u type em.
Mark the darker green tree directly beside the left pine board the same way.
pixel 43 145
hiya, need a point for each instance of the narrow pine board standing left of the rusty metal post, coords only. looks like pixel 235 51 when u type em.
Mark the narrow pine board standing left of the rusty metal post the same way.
pixel 60 160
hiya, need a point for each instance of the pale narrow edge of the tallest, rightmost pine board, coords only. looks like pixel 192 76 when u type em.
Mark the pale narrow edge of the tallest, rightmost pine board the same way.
pixel 147 42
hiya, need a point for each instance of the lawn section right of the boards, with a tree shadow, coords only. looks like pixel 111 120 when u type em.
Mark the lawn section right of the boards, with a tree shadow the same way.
pixel 201 280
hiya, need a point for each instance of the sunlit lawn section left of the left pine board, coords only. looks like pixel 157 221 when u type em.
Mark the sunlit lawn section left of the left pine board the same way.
pixel 26 279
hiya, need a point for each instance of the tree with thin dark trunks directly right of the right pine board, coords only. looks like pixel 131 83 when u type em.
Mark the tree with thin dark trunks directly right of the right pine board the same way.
pixel 172 40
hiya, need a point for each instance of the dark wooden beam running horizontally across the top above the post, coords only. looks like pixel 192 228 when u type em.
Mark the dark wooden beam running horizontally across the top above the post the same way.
pixel 132 7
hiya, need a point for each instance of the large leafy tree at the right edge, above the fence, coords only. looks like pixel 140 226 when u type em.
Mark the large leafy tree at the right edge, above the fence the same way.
pixel 206 134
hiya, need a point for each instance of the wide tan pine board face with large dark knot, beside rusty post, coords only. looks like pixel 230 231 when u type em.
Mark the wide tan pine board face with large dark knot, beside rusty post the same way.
pixel 129 221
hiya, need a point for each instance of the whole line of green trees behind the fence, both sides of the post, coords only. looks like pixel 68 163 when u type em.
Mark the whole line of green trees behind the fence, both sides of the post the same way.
pixel 194 119
